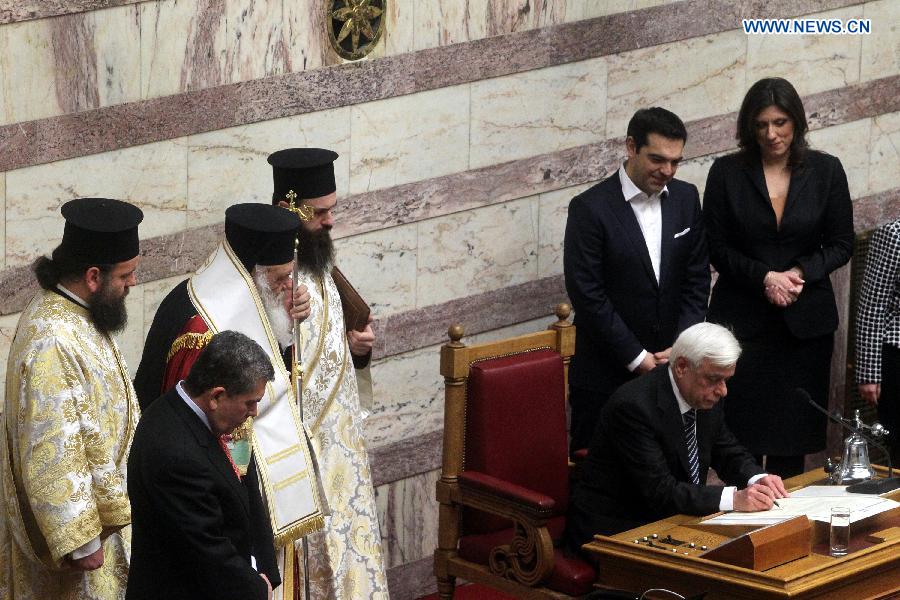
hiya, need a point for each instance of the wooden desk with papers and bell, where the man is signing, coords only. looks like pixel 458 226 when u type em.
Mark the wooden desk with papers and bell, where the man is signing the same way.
pixel 870 570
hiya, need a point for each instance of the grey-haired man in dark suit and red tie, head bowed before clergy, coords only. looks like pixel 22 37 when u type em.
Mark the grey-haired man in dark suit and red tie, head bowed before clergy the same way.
pixel 199 530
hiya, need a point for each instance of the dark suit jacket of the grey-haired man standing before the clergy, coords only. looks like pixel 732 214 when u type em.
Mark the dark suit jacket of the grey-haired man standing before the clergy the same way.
pixel 193 521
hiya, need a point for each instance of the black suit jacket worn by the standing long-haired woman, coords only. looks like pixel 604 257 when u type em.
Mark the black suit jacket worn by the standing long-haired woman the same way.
pixel 816 233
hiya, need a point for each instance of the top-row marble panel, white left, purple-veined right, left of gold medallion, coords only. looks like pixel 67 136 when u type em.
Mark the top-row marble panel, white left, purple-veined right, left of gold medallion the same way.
pixel 183 45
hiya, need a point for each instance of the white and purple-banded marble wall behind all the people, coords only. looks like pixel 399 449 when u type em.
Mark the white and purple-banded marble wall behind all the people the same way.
pixel 462 139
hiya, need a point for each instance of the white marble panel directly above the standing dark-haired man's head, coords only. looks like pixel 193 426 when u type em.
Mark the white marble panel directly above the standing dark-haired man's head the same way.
pixel 672 76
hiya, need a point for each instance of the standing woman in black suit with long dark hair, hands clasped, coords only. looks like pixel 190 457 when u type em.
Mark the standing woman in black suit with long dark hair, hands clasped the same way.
pixel 780 221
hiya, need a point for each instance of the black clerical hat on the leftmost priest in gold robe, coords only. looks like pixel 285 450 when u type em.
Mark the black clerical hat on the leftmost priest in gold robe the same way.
pixel 100 231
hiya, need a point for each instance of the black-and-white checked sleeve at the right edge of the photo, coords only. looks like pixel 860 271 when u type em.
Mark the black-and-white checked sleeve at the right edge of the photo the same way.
pixel 882 276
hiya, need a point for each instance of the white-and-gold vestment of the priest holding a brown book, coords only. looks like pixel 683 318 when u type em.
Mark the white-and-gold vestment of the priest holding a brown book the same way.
pixel 345 558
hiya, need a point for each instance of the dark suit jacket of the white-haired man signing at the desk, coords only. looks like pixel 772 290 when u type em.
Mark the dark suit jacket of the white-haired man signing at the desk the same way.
pixel 637 467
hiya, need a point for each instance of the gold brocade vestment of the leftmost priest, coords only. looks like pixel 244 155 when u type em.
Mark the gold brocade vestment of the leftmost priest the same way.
pixel 67 424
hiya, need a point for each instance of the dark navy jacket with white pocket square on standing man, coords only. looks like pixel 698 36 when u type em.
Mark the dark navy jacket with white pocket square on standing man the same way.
pixel 620 308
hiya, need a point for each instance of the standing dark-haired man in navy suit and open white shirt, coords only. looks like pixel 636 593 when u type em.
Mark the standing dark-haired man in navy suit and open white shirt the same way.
pixel 636 267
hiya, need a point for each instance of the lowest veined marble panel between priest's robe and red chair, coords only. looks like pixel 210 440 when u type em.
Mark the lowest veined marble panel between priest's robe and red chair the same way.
pixel 408 515
